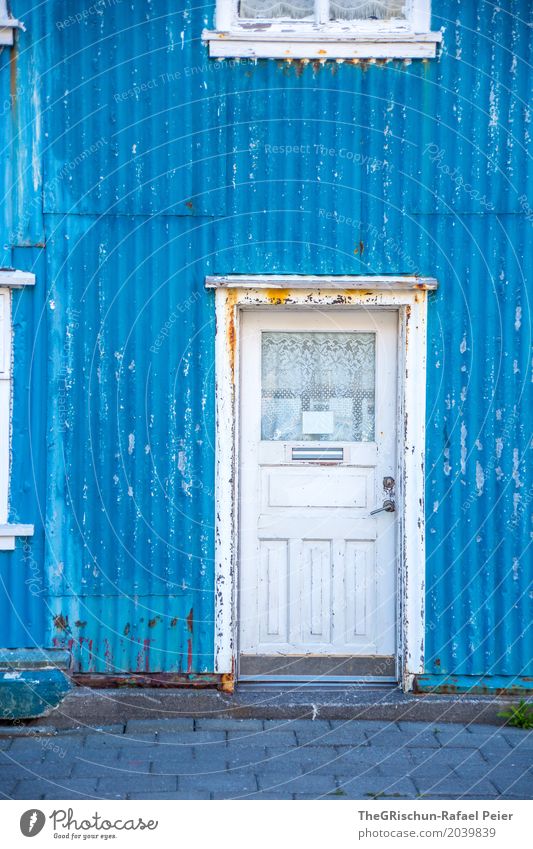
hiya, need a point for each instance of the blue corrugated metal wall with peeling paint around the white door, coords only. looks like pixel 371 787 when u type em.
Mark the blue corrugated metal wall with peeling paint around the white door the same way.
pixel 143 166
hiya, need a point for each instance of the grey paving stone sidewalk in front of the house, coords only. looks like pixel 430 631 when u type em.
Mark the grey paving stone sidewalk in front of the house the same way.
pixel 268 759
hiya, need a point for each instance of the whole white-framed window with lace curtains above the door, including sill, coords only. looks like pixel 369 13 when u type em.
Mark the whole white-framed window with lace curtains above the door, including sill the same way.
pixel 323 29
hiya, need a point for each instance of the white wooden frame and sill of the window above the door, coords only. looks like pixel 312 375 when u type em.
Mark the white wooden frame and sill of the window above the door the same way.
pixel 258 38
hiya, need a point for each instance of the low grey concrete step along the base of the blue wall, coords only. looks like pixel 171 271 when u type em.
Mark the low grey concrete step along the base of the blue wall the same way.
pixel 88 706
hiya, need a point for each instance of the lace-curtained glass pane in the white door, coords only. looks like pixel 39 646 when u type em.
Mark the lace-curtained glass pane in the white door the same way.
pixel 318 387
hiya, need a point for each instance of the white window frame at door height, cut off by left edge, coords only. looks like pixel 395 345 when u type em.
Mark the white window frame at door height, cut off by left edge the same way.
pixel 9 279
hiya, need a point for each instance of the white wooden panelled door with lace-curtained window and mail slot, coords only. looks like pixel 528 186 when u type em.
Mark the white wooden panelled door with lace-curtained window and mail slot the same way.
pixel 318 419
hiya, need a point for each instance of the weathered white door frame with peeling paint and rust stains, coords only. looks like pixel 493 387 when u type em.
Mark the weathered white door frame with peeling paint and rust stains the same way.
pixel 408 296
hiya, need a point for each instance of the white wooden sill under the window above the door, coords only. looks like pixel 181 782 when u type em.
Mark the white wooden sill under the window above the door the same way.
pixel 261 44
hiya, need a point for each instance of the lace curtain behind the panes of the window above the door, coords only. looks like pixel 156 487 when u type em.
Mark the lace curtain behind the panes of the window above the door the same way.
pixel 349 10
